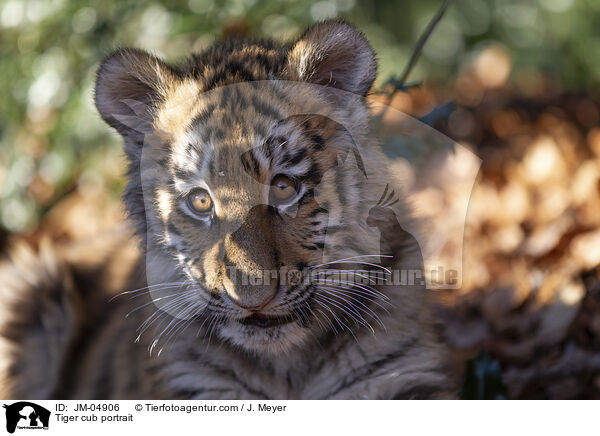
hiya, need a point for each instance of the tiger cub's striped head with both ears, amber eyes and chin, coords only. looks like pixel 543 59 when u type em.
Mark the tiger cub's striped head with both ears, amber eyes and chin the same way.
pixel 238 177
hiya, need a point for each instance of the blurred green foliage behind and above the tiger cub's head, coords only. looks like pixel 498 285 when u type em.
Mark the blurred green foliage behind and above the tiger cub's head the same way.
pixel 53 142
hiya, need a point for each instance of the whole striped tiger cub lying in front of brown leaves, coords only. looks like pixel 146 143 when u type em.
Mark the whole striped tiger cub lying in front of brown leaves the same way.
pixel 268 230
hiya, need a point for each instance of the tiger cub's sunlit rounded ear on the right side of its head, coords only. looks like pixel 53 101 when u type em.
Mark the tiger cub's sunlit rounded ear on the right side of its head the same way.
pixel 333 53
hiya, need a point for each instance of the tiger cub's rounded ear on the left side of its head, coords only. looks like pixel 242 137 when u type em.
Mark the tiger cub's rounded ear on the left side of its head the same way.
pixel 129 86
